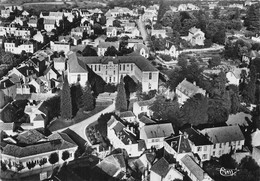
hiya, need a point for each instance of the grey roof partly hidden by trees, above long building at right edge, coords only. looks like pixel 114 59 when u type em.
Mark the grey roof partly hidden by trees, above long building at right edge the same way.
pixel 238 119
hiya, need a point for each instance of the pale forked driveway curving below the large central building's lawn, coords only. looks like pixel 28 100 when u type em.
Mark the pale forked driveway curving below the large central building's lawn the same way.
pixel 80 128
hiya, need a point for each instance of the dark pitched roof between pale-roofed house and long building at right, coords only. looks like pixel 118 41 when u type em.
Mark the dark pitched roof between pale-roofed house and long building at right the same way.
pixel 196 137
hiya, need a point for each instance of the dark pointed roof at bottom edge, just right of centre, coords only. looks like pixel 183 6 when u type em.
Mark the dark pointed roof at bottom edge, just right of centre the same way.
pixel 161 167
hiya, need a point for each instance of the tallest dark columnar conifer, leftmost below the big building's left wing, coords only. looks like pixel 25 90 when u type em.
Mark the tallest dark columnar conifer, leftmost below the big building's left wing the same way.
pixel 65 102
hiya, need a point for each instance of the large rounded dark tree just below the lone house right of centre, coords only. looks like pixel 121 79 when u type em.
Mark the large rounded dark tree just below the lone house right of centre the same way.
pixel 195 110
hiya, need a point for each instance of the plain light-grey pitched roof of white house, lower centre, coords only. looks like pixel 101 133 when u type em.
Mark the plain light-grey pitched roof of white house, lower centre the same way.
pixel 157 130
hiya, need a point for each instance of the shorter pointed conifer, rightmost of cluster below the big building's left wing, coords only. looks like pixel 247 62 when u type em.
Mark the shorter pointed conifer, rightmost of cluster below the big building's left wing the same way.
pixel 87 98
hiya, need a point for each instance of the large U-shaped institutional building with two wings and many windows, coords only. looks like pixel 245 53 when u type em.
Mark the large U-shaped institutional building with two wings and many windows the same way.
pixel 112 68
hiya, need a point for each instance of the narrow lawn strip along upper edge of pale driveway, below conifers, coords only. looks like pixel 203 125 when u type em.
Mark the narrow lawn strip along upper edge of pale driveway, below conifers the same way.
pixel 60 123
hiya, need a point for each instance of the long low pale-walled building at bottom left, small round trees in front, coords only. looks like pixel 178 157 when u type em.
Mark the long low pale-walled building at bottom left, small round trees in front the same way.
pixel 33 147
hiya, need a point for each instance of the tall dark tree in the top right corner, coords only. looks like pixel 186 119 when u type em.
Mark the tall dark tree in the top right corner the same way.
pixel 252 21
